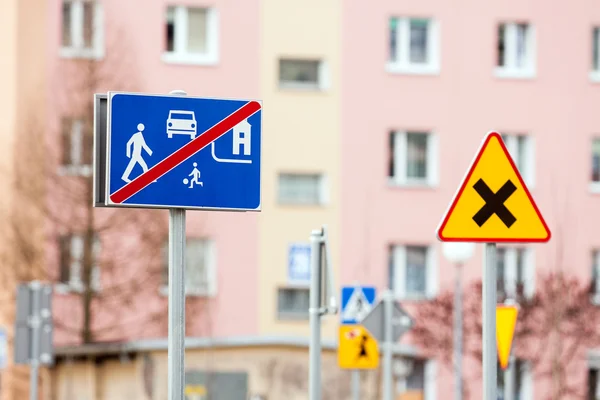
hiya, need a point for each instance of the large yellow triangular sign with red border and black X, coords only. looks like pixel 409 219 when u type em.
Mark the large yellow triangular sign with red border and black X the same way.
pixel 493 203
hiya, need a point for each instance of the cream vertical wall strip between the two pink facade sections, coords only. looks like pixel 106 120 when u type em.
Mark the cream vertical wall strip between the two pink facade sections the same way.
pixel 301 134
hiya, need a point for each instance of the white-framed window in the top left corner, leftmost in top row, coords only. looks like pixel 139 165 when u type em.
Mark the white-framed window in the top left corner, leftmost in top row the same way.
pixel 82 30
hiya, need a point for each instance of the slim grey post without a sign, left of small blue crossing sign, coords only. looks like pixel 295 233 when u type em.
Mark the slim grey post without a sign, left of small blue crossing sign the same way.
pixel 314 311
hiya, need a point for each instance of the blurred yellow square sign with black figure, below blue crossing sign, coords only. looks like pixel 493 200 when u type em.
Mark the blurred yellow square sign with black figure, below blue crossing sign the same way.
pixel 357 348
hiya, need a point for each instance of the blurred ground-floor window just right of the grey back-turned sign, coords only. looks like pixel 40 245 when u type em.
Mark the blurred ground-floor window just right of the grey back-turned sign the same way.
pixel 416 378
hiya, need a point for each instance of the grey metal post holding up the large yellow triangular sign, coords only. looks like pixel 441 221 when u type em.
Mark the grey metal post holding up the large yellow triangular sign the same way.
pixel 489 323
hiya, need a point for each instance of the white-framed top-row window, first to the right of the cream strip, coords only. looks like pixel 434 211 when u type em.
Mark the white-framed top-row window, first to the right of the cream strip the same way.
pixel 413 45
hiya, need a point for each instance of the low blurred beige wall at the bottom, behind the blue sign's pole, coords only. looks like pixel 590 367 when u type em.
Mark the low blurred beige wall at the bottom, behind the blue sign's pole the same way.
pixel 273 372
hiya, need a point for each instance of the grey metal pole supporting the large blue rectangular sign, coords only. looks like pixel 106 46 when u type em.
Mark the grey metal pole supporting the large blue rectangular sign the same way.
pixel 176 341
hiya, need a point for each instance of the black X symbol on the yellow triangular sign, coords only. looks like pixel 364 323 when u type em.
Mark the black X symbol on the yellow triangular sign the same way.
pixel 494 203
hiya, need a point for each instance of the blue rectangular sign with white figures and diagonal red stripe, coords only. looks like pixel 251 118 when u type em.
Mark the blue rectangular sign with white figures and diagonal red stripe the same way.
pixel 169 151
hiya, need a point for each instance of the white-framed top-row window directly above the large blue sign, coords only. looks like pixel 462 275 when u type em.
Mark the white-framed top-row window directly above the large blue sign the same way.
pixel 191 35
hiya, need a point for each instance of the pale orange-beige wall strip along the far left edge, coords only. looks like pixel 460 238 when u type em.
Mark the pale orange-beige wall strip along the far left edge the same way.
pixel 22 79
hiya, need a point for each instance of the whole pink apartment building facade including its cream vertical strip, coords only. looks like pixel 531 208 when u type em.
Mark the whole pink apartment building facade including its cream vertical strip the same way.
pixel 409 96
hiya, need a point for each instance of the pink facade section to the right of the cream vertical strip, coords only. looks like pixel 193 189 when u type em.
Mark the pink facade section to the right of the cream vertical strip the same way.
pixel 442 76
